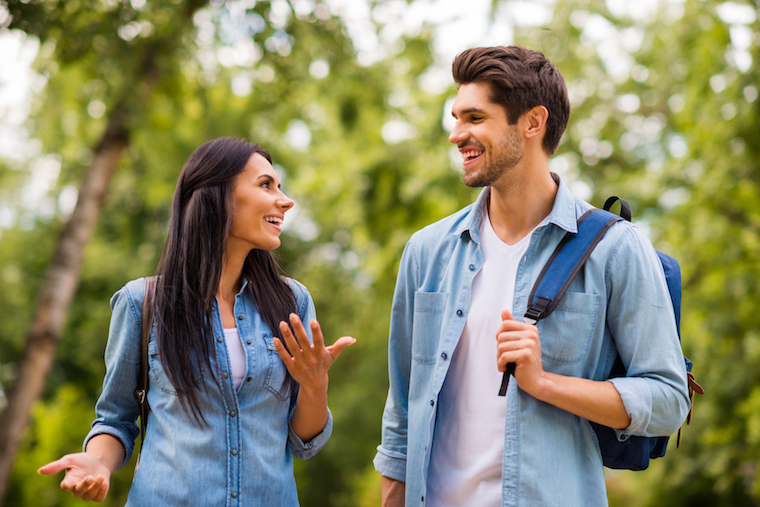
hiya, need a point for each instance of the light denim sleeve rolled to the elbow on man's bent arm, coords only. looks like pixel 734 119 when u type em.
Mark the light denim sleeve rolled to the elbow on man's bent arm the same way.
pixel 641 320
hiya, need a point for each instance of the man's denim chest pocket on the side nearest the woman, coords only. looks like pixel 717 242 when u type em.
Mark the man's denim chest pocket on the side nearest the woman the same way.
pixel 429 310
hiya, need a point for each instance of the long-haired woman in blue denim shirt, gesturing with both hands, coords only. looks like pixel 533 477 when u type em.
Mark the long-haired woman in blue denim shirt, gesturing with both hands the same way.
pixel 230 402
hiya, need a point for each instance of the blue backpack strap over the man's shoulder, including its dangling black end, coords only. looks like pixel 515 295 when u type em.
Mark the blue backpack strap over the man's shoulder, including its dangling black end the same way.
pixel 561 268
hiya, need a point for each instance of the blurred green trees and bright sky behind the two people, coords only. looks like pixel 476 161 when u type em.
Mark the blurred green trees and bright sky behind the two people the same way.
pixel 102 101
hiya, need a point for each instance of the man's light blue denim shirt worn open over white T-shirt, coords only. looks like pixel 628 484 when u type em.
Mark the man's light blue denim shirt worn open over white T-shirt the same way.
pixel 618 303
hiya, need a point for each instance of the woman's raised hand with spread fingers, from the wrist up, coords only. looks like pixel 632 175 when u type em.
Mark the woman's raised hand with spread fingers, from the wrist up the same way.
pixel 307 363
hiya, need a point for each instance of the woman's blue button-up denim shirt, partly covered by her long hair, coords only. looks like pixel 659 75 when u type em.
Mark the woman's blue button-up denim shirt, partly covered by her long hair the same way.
pixel 245 455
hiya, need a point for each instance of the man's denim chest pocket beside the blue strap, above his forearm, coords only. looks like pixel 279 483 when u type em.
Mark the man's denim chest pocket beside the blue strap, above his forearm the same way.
pixel 567 333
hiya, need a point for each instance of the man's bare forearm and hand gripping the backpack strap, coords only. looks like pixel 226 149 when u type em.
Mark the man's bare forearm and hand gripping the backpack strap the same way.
pixel 597 401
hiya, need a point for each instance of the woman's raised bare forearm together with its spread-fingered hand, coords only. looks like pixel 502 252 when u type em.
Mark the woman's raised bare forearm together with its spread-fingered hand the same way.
pixel 308 365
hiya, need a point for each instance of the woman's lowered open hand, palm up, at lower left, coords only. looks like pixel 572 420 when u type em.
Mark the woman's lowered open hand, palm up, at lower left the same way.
pixel 86 477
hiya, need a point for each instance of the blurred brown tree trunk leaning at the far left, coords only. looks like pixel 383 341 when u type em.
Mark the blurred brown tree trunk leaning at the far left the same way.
pixel 57 292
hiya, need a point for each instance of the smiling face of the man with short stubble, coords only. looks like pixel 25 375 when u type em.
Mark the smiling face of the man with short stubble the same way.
pixel 489 145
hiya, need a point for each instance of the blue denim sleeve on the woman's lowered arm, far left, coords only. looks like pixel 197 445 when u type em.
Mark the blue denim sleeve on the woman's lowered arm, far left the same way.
pixel 117 408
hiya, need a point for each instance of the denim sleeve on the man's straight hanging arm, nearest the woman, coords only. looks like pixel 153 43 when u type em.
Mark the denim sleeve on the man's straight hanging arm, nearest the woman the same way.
pixel 390 460
